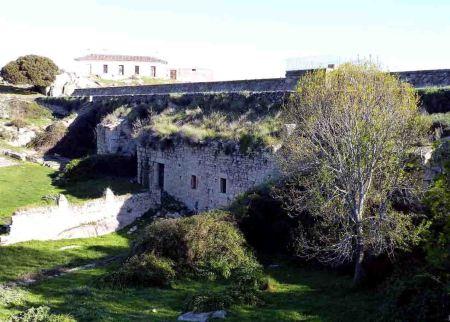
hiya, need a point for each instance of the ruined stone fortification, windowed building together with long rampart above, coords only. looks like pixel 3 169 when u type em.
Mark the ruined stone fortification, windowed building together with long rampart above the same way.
pixel 210 173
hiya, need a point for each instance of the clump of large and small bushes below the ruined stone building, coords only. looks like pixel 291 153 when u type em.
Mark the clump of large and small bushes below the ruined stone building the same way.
pixel 203 246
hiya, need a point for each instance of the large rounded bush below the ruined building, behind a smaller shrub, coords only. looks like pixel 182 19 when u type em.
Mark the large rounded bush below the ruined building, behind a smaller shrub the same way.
pixel 205 245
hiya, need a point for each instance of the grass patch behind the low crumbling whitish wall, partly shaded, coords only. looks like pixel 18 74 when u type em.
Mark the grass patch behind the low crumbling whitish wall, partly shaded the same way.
pixel 26 184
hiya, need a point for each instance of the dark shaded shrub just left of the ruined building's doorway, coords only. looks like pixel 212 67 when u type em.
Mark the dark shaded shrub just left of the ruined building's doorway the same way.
pixel 97 165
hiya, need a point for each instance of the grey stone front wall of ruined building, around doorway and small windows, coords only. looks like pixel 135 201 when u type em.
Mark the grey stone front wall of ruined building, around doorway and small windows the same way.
pixel 209 163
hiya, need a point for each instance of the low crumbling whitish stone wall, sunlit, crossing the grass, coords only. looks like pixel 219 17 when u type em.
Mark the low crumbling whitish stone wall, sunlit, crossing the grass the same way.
pixel 64 221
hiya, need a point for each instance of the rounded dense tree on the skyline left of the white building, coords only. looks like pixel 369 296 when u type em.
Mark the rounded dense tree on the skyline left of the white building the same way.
pixel 33 70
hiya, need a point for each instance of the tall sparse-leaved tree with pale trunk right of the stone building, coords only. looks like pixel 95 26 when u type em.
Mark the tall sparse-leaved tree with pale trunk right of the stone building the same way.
pixel 354 128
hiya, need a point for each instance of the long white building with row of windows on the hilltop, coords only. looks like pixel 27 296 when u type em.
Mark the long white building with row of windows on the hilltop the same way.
pixel 121 66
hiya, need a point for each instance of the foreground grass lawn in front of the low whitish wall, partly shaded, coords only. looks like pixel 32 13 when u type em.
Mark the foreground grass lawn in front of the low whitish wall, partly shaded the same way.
pixel 299 294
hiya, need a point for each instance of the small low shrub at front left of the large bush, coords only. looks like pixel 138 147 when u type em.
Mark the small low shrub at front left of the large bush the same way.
pixel 143 270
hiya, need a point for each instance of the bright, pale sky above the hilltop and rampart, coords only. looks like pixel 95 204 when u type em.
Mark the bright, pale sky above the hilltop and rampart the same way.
pixel 237 39
